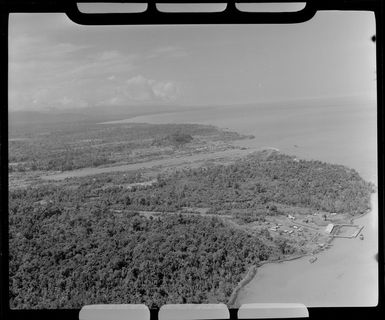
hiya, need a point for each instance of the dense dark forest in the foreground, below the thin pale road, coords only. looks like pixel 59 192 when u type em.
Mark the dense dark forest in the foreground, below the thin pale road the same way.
pixel 97 257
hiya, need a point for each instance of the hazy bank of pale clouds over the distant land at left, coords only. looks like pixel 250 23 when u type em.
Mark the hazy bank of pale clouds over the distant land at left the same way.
pixel 44 73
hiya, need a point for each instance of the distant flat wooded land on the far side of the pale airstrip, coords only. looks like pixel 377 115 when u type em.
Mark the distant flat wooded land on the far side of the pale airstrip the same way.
pixel 81 145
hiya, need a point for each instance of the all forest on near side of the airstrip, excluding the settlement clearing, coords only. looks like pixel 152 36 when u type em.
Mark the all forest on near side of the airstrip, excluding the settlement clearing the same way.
pixel 83 241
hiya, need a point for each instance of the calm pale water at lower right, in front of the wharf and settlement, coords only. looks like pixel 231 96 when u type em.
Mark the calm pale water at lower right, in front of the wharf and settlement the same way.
pixel 345 275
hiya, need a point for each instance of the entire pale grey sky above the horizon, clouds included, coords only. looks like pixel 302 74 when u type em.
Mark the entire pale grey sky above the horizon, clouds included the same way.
pixel 57 64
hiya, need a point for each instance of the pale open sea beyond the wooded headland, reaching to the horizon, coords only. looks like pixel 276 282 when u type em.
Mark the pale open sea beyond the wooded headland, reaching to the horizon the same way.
pixel 341 131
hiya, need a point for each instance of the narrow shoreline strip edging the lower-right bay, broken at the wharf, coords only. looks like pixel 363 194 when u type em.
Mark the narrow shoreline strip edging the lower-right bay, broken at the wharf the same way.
pixel 253 270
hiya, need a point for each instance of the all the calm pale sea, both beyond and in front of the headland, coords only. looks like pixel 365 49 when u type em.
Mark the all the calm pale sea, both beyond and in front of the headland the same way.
pixel 342 132
